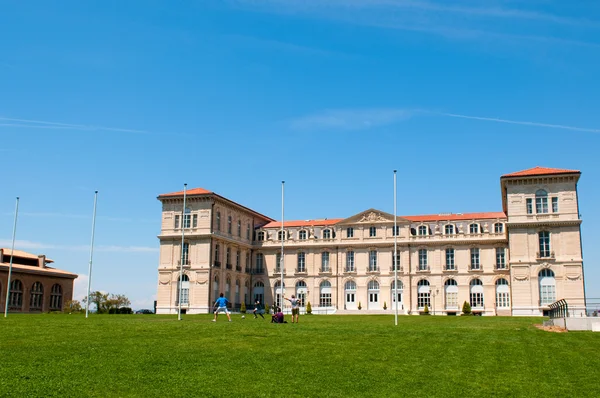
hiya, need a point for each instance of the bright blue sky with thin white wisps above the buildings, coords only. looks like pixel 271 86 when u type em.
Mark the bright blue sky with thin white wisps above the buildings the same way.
pixel 136 98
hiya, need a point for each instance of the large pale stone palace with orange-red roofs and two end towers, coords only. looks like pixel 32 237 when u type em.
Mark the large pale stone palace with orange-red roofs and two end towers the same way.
pixel 514 262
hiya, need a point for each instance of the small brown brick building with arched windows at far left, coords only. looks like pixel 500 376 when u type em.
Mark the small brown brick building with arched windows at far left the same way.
pixel 35 287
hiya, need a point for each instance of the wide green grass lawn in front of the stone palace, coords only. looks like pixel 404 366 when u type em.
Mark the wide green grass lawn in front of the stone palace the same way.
pixel 158 356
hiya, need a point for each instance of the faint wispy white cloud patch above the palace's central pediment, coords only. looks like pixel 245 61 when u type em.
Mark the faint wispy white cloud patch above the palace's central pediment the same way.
pixel 351 119
